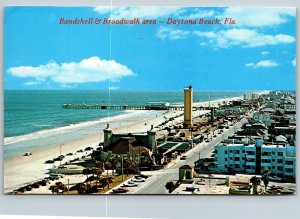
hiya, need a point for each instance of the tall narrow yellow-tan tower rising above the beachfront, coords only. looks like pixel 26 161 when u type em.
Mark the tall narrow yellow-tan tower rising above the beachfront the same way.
pixel 188 107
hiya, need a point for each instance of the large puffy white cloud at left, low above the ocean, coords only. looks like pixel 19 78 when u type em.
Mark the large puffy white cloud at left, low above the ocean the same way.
pixel 92 69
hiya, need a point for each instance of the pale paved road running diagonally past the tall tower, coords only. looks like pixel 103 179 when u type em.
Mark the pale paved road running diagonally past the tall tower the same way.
pixel 156 183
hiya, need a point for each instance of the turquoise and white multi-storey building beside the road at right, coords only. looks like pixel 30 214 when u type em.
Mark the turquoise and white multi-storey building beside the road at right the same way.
pixel 280 160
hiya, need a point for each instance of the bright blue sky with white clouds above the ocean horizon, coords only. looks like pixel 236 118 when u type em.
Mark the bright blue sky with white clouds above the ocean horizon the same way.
pixel 257 53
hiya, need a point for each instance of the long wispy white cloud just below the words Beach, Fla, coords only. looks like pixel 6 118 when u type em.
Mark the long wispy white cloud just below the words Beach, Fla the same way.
pixel 244 38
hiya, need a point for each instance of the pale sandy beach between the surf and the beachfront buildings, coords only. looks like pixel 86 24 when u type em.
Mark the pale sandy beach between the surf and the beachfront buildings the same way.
pixel 21 170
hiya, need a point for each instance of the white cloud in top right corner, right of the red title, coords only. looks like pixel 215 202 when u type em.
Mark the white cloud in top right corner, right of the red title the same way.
pixel 257 17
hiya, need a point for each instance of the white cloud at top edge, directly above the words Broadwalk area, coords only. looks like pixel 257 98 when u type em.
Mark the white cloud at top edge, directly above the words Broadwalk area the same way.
pixel 149 12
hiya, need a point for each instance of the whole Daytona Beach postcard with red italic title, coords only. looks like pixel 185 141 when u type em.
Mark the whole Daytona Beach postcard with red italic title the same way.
pixel 150 100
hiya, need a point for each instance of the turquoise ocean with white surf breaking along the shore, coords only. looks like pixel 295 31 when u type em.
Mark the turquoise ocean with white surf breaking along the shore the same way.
pixel 34 119
